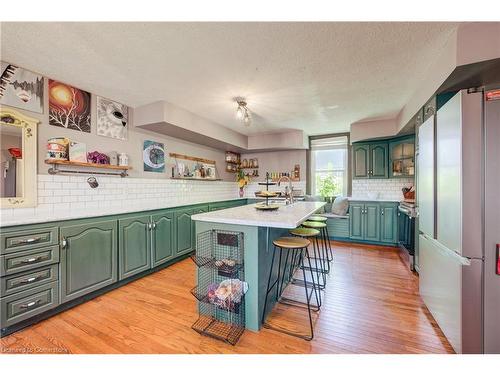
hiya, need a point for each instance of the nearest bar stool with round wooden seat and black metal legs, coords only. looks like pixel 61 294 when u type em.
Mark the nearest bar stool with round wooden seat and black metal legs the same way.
pixel 292 244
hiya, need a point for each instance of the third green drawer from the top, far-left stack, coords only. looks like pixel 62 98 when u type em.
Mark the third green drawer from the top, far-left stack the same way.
pixel 27 280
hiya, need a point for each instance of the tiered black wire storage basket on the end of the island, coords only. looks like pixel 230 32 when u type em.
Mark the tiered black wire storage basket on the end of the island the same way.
pixel 221 285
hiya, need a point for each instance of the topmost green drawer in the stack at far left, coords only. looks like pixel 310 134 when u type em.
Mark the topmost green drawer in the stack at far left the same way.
pixel 28 239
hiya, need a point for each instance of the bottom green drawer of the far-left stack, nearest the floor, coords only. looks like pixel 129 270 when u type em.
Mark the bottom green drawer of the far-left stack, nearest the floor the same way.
pixel 24 305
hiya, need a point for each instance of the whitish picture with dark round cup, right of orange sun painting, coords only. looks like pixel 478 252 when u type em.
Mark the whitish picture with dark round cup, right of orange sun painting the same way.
pixel 112 119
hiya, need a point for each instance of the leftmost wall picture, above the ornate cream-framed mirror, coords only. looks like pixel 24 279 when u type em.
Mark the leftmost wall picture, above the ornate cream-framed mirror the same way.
pixel 21 88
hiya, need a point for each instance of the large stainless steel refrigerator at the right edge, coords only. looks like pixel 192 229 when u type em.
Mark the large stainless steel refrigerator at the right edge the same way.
pixel 458 203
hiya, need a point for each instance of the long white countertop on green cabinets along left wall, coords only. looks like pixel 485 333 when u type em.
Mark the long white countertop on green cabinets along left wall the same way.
pixel 61 215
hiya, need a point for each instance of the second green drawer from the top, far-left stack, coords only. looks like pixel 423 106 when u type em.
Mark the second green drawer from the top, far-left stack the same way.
pixel 28 260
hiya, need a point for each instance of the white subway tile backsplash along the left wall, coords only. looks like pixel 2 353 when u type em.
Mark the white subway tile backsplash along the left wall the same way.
pixel 66 197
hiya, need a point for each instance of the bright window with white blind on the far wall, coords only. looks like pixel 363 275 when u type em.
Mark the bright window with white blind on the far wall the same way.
pixel 329 165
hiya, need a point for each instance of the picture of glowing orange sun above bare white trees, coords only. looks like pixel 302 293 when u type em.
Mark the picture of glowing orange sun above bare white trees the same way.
pixel 69 107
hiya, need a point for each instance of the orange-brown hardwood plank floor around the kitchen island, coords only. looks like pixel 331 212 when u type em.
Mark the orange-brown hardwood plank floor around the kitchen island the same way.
pixel 371 305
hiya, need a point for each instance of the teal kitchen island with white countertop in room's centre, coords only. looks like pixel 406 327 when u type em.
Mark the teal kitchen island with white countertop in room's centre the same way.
pixel 259 229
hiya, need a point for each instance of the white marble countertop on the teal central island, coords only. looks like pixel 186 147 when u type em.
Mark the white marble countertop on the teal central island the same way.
pixel 287 216
